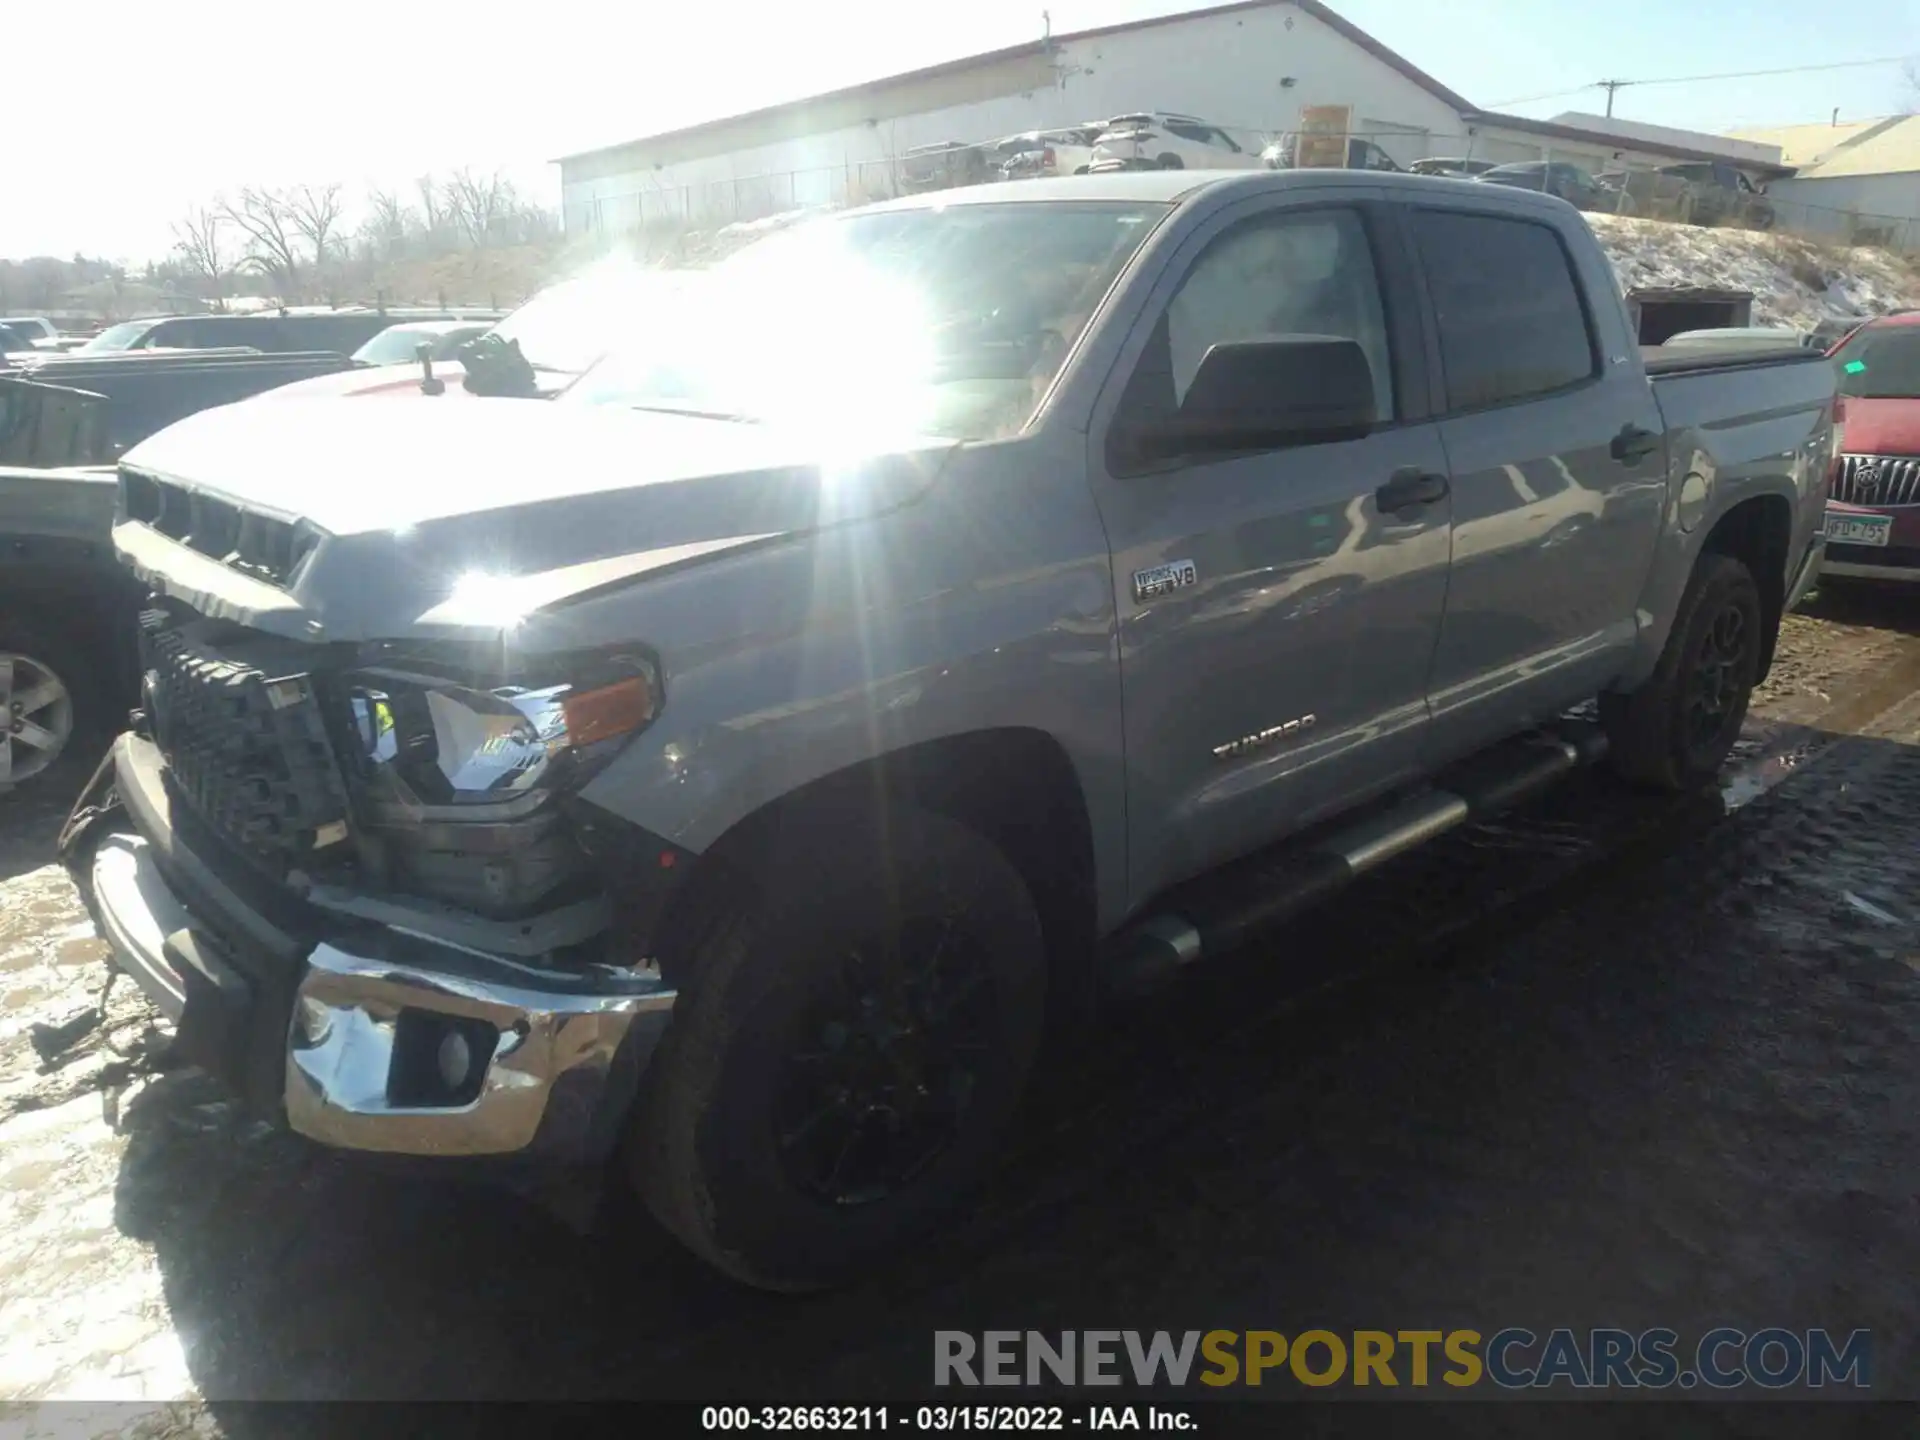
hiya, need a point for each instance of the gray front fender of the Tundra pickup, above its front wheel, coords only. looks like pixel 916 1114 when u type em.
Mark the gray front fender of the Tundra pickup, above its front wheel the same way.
pixel 986 606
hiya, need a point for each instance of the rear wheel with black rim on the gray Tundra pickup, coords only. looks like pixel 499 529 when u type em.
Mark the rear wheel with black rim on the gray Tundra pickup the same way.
pixel 1677 731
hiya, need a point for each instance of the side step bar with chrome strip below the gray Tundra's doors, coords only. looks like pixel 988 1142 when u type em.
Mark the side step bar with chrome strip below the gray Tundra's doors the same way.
pixel 1218 913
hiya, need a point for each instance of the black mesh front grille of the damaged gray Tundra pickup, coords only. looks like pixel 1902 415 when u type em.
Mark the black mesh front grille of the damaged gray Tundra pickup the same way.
pixel 245 750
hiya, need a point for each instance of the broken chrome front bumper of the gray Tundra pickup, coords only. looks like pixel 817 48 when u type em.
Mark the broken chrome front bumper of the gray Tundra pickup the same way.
pixel 552 1059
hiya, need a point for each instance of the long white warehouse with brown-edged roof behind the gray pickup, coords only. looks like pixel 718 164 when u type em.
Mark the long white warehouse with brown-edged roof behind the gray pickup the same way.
pixel 1249 68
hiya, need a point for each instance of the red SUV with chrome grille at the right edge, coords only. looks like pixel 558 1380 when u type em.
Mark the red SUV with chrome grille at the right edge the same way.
pixel 1873 512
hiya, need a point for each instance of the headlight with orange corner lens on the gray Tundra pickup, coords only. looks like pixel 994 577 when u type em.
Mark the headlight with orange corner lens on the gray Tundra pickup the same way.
pixel 454 752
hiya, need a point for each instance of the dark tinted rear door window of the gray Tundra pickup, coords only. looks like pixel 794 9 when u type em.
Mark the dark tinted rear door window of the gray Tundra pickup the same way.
pixel 1508 308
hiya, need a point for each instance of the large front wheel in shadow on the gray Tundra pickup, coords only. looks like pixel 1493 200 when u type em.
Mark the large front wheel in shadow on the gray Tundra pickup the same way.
pixel 848 1053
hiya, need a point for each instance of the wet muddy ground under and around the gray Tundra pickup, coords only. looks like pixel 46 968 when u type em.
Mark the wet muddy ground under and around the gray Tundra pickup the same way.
pixel 1610 1061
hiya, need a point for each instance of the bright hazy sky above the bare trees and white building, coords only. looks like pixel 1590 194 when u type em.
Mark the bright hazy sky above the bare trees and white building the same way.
pixel 220 93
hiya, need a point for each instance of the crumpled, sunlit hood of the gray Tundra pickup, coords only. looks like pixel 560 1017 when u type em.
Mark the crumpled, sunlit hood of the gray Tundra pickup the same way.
pixel 412 504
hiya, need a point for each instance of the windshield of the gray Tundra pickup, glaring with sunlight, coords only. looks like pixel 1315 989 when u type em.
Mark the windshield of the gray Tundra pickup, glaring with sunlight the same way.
pixel 942 322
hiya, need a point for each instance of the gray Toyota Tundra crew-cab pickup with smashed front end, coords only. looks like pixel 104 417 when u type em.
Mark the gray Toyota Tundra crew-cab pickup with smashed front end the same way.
pixel 723 771
